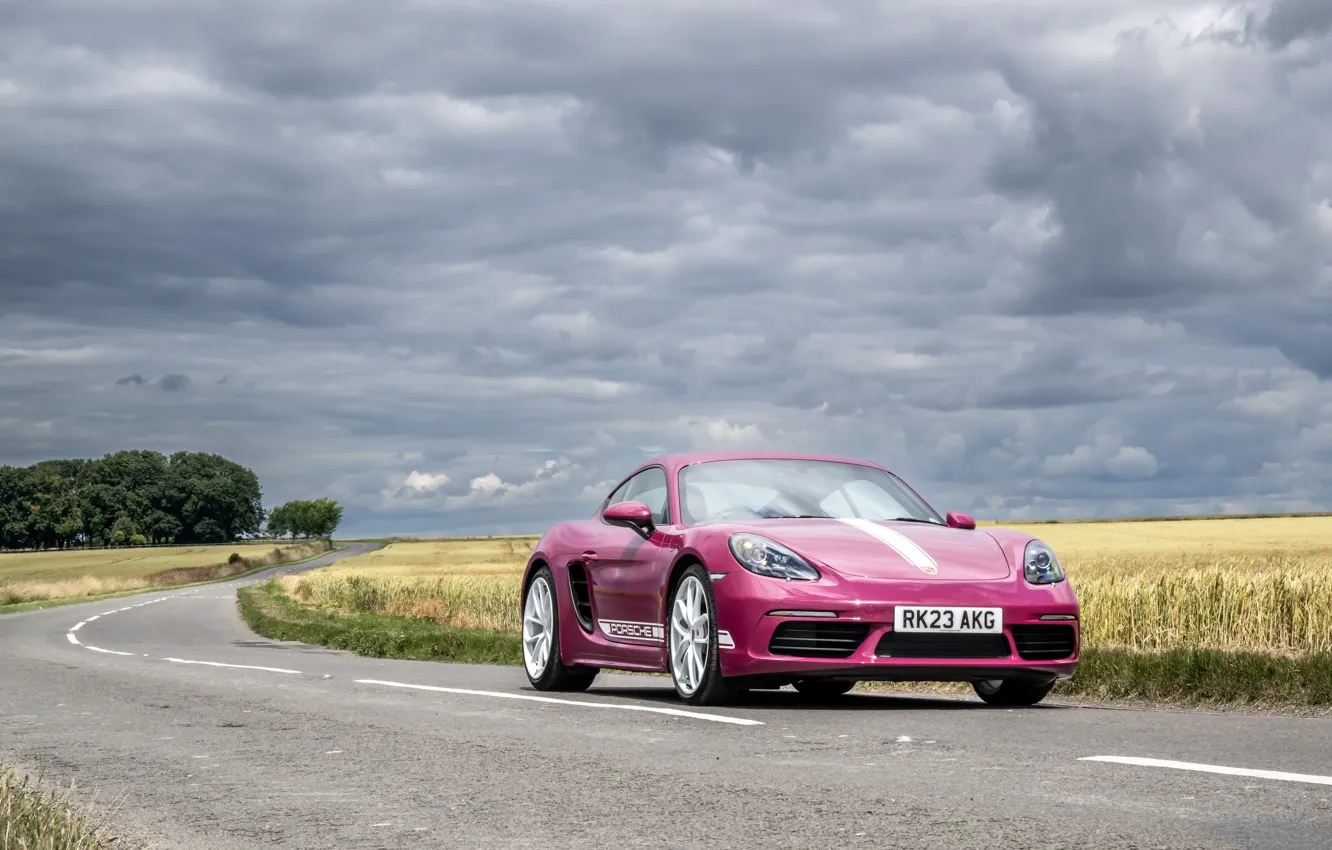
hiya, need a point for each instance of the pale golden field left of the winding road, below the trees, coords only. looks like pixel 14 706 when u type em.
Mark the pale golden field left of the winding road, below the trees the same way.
pixel 78 574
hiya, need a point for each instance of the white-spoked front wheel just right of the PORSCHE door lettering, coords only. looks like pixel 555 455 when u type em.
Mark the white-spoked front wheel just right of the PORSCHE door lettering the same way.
pixel 693 657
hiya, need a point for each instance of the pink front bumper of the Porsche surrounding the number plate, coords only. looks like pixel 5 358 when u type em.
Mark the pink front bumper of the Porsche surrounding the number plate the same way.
pixel 864 607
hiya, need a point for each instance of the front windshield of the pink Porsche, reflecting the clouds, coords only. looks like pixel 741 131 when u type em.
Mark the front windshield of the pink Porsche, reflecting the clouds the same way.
pixel 763 490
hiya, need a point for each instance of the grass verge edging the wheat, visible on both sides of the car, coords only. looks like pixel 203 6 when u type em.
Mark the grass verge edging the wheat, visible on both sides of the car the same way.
pixel 1190 677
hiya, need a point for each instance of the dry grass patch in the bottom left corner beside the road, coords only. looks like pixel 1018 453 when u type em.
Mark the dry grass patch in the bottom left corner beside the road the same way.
pixel 34 819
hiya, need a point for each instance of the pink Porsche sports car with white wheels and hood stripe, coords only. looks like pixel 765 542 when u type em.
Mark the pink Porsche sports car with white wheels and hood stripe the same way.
pixel 739 571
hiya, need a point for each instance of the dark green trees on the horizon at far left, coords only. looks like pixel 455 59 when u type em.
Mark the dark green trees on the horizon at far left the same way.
pixel 133 498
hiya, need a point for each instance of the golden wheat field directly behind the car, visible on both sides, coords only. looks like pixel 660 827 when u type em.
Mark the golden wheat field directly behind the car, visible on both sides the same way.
pixel 1223 584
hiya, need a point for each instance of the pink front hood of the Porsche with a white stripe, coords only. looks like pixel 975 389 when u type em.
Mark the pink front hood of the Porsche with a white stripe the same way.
pixel 906 551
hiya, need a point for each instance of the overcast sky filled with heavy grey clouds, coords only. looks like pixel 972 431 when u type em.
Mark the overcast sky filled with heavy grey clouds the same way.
pixel 460 264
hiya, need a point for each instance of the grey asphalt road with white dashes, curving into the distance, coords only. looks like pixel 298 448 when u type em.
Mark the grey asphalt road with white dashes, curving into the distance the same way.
pixel 300 747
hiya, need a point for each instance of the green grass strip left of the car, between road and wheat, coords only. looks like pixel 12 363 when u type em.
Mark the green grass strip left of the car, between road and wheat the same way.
pixel 274 615
